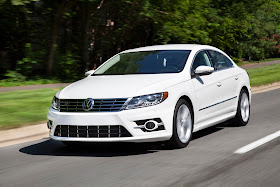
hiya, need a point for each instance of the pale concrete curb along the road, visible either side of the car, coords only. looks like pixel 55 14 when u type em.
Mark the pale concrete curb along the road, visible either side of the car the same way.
pixel 40 131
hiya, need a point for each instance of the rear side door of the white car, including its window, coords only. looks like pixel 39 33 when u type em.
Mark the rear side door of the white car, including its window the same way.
pixel 227 84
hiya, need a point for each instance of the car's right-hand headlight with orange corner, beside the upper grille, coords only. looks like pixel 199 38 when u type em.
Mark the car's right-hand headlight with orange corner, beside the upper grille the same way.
pixel 146 100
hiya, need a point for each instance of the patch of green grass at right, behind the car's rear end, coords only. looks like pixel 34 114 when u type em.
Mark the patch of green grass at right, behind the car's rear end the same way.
pixel 264 75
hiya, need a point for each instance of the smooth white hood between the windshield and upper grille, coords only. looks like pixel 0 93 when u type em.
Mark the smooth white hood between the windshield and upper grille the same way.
pixel 118 86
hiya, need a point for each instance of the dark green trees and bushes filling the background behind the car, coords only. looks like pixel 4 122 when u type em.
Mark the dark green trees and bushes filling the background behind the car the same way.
pixel 67 37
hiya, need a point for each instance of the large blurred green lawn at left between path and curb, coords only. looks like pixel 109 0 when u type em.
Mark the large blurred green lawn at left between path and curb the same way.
pixel 19 108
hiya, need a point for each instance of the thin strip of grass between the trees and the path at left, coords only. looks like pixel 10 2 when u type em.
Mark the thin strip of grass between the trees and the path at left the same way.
pixel 7 82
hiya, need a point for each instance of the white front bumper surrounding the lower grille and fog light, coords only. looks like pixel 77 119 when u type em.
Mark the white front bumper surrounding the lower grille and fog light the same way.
pixel 125 118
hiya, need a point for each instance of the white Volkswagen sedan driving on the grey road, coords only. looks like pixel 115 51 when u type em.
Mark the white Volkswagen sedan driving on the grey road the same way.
pixel 150 94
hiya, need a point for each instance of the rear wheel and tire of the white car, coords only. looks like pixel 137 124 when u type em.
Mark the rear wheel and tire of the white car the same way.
pixel 243 109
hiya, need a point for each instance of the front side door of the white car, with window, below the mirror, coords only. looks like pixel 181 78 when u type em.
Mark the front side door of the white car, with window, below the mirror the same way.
pixel 207 89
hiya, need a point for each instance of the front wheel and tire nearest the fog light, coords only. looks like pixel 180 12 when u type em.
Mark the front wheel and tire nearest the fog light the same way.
pixel 182 125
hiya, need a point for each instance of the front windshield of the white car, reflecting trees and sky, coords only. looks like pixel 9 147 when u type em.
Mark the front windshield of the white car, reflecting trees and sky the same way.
pixel 145 62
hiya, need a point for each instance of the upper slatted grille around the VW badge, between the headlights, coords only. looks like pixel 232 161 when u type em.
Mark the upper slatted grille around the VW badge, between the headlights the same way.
pixel 100 105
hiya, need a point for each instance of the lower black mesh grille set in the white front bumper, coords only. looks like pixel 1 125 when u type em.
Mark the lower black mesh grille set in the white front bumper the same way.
pixel 111 131
